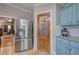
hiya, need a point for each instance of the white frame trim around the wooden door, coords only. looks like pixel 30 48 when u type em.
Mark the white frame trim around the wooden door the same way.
pixel 41 12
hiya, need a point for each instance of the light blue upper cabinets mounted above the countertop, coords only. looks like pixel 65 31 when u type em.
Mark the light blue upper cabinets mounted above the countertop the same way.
pixel 70 15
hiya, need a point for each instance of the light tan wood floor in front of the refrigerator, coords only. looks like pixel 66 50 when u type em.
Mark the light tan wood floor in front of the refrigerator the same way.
pixel 10 51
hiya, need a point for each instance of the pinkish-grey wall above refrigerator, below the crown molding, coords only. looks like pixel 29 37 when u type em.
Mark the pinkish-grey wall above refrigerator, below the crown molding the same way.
pixel 10 11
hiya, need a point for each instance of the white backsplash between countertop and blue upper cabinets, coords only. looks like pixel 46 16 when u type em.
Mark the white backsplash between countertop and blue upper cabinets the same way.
pixel 73 31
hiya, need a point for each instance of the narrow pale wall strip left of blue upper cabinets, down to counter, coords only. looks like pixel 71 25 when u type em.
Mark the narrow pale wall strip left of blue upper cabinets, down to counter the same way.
pixel 58 21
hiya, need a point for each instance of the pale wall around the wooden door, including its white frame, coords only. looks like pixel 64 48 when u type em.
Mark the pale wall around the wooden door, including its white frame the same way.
pixel 44 8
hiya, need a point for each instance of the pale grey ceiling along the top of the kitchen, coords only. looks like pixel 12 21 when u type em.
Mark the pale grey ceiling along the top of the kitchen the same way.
pixel 30 6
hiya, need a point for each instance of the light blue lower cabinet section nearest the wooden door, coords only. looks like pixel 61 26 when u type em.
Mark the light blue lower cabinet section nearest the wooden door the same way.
pixel 62 47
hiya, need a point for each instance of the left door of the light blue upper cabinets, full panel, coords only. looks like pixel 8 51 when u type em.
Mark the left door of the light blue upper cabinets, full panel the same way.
pixel 66 15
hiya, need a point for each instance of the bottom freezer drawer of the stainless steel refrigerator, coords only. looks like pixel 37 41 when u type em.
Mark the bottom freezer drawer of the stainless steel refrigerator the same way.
pixel 23 44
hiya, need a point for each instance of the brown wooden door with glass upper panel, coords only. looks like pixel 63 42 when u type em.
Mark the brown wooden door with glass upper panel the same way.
pixel 43 31
